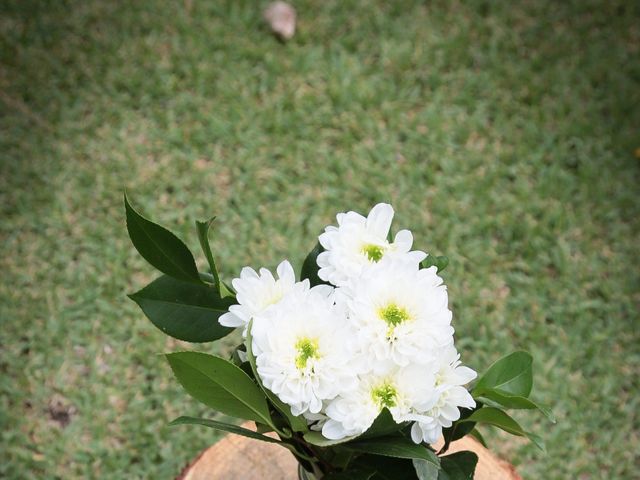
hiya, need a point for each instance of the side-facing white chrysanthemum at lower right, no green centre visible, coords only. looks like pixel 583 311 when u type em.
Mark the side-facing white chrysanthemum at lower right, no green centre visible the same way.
pixel 451 395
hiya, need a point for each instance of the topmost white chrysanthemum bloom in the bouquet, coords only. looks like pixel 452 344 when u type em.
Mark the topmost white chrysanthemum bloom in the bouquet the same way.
pixel 358 241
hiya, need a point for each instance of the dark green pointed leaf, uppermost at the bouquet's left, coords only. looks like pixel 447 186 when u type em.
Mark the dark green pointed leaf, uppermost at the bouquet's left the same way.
pixel 160 247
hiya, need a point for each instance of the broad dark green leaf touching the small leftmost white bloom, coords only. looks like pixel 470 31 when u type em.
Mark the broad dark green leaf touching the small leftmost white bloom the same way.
pixel 183 310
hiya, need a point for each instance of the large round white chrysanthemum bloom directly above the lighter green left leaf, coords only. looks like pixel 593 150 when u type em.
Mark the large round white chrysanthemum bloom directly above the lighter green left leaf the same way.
pixel 302 348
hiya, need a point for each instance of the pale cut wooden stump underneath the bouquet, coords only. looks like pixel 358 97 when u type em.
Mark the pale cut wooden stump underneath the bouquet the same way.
pixel 236 457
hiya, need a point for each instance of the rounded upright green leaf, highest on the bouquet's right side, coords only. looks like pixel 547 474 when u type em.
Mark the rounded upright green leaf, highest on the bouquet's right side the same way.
pixel 511 374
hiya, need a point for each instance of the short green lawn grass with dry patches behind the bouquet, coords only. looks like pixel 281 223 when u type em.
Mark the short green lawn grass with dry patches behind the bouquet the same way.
pixel 503 135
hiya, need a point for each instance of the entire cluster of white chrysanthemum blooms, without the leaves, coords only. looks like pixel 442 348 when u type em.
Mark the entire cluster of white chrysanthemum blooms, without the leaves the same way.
pixel 382 338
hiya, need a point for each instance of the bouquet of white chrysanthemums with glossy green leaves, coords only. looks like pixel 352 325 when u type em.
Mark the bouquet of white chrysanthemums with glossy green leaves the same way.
pixel 352 367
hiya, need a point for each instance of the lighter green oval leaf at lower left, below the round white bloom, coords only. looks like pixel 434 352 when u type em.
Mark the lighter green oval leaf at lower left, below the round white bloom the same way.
pixel 220 385
